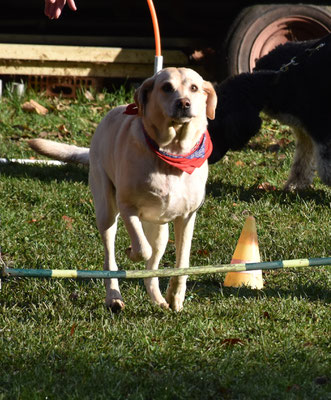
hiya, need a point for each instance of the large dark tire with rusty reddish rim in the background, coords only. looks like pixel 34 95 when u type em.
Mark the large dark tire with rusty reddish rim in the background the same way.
pixel 259 29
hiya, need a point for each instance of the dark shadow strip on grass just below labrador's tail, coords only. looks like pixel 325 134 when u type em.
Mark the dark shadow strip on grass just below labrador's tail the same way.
pixel 45 173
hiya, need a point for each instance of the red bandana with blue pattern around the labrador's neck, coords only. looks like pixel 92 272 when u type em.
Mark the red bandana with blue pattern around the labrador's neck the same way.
pixel 185 162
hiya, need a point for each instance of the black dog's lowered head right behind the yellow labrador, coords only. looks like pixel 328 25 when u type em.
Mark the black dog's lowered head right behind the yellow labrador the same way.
pixel 240 100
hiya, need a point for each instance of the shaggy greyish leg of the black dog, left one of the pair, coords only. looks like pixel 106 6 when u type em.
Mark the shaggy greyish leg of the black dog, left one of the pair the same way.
pixel 302 169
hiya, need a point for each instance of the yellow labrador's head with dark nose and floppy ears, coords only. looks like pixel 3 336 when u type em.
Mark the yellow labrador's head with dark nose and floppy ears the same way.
pixel 173 98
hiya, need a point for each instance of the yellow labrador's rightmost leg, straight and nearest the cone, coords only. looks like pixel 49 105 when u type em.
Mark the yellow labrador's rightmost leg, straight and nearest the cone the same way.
pixel 183 236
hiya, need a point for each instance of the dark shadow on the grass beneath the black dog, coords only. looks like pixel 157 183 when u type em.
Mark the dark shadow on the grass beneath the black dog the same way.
pixel 253 193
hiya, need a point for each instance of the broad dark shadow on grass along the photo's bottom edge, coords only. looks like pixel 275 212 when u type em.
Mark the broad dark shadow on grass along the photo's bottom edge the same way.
pixel 163 373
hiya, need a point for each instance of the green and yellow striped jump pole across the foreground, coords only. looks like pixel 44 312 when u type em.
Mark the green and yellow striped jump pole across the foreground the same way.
pixel 162 273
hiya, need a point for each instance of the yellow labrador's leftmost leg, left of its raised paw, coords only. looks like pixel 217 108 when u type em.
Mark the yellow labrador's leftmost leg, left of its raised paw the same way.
pixel 106 216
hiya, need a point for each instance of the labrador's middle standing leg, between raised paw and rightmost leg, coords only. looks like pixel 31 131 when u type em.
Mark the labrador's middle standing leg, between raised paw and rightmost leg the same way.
pixel 157 235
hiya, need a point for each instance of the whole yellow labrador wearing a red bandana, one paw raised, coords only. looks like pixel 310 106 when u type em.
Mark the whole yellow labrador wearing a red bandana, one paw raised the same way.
pixel 148 163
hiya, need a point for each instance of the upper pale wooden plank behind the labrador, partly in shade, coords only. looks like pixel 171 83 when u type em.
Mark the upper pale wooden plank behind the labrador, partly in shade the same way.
pixel 36 52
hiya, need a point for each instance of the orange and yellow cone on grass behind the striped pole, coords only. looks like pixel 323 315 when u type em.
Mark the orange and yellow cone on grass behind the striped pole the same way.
pixel 247 250
